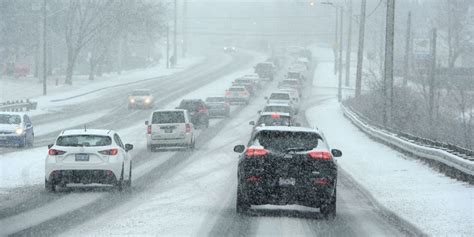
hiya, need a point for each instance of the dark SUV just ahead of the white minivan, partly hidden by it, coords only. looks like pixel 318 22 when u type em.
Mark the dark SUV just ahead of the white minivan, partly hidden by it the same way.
pixel 198 111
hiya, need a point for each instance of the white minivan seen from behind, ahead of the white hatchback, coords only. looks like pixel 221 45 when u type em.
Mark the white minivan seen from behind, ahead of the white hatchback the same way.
pixel 169 128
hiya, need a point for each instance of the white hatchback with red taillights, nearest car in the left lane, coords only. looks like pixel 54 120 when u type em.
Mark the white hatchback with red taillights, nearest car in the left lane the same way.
pixel 88 156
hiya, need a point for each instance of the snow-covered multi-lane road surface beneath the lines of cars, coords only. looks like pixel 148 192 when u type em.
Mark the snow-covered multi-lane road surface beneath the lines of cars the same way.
pixel 191 193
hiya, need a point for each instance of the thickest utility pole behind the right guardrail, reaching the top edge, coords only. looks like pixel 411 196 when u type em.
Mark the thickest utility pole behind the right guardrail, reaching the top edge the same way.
pixel 388 65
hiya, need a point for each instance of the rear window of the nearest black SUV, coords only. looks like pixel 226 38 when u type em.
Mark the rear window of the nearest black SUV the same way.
pixel 283 140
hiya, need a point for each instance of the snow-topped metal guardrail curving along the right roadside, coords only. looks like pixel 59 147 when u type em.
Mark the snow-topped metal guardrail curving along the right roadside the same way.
pixel 458 161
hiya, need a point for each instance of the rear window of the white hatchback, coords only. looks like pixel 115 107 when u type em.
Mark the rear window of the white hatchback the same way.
pixel 84 140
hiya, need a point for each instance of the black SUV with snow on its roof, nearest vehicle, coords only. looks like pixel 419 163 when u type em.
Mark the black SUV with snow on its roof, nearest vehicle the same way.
pixel 287 165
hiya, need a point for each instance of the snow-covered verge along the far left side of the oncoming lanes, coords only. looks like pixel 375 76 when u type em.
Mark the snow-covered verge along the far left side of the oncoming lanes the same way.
pixel 82 88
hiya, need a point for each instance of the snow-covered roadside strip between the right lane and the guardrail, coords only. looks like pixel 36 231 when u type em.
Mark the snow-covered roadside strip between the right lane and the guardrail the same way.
pixel 436 204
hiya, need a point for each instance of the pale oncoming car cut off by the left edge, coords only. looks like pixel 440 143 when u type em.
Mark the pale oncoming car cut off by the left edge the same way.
pixel 16 129
